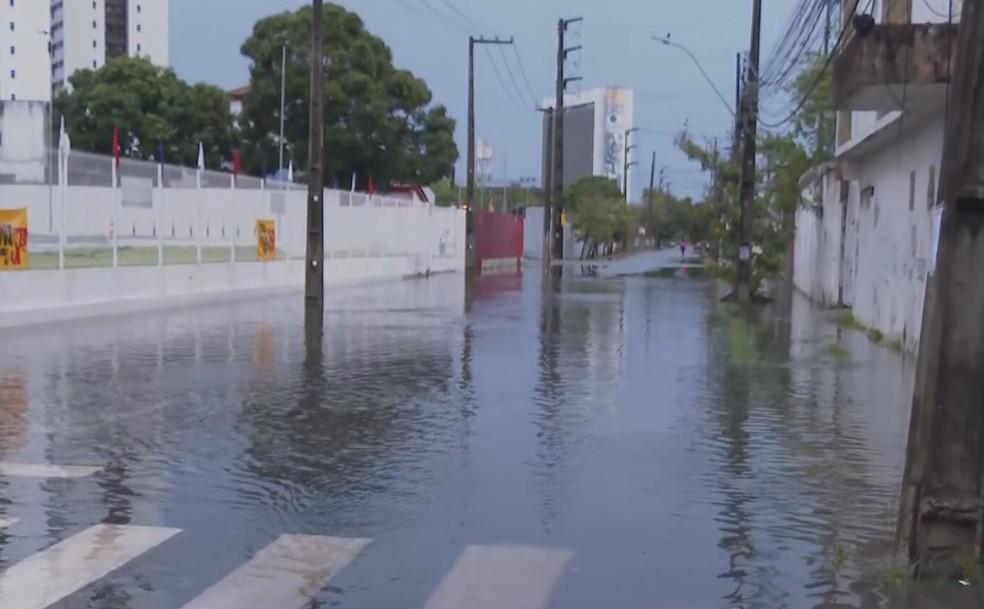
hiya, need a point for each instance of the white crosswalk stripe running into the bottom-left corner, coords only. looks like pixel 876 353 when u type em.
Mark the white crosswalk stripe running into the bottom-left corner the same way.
pixel 49 576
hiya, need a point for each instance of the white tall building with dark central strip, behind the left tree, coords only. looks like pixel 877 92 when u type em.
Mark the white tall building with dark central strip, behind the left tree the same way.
pixel 85 33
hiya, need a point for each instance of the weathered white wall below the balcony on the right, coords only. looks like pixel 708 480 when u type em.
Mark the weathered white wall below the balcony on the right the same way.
pixel 887 233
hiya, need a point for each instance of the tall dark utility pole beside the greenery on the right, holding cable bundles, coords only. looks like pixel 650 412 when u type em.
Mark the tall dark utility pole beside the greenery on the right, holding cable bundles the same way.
pixel 750 133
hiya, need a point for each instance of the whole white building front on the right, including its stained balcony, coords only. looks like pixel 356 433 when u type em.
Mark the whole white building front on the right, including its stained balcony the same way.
pixel 866 238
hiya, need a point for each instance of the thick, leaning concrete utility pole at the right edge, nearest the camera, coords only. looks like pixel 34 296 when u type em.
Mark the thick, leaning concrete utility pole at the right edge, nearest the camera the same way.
pixel 941 518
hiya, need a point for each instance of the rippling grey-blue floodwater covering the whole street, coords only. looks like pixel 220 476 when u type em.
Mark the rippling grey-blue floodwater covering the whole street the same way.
pixel 614 438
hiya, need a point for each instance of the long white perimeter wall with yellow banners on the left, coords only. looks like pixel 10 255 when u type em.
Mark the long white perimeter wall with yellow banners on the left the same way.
pixel 372 240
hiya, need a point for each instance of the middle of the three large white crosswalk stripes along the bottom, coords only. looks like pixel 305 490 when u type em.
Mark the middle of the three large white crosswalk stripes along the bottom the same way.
pixel 286 574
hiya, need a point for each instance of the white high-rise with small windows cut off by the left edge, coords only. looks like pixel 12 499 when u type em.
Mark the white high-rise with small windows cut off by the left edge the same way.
pixel 24 51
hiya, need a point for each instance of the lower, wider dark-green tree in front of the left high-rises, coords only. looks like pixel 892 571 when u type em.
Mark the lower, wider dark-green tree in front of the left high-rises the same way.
pixel 148 105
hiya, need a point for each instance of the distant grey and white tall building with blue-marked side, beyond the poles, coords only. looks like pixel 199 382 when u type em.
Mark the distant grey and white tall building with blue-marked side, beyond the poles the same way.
pixel 595 126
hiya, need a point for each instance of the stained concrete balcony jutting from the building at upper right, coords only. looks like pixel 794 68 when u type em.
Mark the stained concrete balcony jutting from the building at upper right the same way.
pixel 895 65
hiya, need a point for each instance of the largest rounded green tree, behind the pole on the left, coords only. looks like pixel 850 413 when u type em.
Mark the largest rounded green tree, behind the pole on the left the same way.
pixel 378 119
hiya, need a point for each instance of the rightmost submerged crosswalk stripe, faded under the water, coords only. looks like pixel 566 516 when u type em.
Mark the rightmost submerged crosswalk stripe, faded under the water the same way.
pixel 501 577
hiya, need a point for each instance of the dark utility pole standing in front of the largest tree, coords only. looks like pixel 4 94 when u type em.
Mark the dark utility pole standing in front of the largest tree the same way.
pixel 314 280
